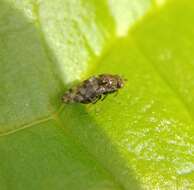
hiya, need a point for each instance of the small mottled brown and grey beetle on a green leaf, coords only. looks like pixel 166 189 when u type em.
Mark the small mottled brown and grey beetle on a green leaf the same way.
pixel 93 89
